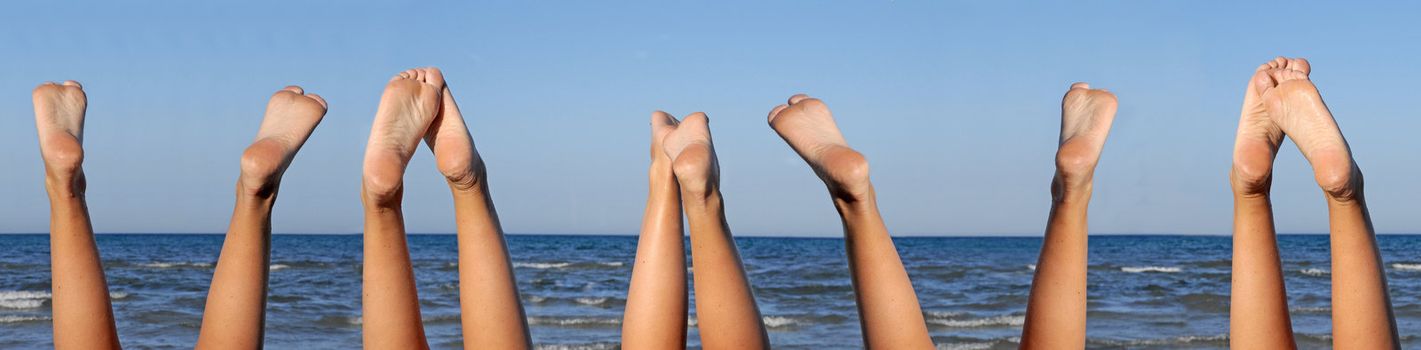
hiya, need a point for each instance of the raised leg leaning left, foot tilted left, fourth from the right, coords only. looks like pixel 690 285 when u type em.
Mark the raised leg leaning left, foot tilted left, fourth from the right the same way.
pixel 887 305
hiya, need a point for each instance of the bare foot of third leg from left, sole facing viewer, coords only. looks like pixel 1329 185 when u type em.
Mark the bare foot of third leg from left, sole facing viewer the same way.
pixel 406 112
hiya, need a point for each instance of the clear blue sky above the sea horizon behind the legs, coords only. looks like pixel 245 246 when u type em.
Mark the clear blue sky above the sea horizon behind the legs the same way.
pixel 956 105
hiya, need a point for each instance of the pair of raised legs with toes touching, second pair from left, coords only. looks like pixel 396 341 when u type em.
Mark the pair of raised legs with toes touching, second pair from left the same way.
pixel 418 106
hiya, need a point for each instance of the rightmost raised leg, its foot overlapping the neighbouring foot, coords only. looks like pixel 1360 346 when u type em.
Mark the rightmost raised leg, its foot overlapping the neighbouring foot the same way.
pixel 1362 308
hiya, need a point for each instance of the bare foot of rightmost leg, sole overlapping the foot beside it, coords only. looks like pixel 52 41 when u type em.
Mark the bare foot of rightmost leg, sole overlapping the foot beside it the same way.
pixel 1295 106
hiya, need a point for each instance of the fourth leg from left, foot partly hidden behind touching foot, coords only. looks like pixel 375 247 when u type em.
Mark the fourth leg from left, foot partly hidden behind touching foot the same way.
pixel 488 294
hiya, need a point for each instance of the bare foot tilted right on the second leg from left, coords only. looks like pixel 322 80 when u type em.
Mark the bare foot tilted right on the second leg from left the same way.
pixel 291 117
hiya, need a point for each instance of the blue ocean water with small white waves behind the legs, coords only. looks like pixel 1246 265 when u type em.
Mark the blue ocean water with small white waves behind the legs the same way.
pixel 1153 292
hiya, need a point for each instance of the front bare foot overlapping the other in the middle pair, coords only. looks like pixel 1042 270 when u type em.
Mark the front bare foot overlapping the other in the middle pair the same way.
pixel 693 154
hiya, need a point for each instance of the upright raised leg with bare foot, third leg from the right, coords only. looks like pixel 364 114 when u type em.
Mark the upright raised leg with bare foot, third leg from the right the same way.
pixel 1057 309
